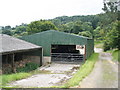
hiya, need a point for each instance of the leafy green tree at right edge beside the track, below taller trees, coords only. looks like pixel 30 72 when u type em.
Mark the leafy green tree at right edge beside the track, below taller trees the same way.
pixel 113 37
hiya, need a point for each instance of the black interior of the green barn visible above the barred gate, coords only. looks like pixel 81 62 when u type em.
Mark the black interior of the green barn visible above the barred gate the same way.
pixel 64 49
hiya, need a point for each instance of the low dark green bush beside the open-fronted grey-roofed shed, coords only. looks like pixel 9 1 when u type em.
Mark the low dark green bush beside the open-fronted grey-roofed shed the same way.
pixel 28 67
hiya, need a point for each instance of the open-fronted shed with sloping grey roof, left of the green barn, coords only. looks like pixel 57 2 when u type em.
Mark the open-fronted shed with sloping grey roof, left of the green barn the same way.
pixel 16 53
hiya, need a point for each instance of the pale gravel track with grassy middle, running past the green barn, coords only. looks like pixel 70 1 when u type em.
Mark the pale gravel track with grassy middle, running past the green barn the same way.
pixel 104 74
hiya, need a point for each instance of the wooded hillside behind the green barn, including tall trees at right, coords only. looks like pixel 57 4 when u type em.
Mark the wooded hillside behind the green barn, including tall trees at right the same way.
pixel 103 27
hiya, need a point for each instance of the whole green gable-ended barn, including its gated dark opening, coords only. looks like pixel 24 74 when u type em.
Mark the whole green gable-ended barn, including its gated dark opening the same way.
pixel 61 46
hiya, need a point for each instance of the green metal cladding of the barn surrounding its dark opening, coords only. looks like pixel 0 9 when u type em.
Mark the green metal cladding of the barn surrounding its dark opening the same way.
pixel 53 37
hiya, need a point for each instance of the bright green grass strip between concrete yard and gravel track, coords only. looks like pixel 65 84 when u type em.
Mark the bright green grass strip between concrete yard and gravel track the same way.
pixel 84 70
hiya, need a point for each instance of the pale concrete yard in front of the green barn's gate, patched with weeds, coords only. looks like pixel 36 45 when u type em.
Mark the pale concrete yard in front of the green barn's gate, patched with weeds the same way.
pixel 58 75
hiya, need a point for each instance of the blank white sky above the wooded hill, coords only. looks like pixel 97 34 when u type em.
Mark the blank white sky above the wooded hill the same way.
pixel 15 12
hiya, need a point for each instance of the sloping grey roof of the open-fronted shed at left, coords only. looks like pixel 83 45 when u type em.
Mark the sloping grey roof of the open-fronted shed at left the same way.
pixel 11 44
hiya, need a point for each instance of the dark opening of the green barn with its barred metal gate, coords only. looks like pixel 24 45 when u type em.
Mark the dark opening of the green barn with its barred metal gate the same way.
pixel 67 53
